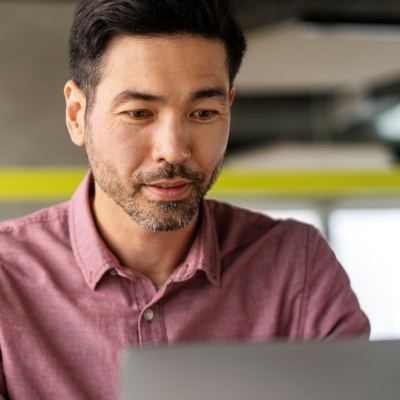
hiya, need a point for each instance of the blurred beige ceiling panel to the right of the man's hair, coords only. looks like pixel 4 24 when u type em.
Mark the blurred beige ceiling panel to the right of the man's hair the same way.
pixel 293 56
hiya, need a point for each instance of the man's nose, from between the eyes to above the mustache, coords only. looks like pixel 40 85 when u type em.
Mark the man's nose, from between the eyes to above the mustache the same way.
pixel 171 141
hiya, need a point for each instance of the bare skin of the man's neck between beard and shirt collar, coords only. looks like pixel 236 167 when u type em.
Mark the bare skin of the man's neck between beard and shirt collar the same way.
pixel 154 254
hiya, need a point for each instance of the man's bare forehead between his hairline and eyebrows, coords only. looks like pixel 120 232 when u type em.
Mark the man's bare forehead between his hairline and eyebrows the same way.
pixel 177 58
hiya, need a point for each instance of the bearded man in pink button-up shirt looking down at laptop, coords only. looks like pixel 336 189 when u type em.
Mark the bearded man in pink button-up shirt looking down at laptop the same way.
pixel 137 257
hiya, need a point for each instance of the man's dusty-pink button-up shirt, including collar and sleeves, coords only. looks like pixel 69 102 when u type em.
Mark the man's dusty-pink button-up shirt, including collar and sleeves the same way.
pixel 67 307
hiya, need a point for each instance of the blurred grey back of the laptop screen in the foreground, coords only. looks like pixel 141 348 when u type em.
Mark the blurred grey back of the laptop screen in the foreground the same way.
pixel 333 370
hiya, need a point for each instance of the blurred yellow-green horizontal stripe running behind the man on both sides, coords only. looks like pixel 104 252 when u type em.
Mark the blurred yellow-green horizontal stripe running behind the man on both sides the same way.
pixel 58 183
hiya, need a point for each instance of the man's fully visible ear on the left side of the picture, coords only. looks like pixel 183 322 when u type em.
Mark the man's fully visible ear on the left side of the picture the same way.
pixel 75 112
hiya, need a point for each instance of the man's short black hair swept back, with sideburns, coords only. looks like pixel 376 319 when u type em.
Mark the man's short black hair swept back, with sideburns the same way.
pixel 96 22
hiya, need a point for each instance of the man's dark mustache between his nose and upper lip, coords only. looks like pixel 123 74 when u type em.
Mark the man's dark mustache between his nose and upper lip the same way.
pixel 169 171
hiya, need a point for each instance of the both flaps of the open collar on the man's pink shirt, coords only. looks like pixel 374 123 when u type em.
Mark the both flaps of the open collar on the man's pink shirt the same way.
pixel 95 259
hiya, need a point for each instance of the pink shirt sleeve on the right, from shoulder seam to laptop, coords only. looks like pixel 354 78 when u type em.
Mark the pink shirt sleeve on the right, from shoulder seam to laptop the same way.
pixel 330 308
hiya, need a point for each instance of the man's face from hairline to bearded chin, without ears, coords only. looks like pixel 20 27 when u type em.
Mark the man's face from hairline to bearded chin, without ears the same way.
pixel 158 128
